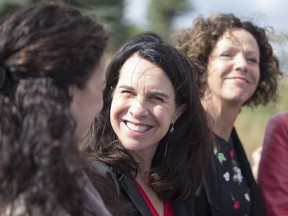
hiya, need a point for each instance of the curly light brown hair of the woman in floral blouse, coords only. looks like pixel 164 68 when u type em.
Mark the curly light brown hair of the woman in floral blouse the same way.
pixel 200 40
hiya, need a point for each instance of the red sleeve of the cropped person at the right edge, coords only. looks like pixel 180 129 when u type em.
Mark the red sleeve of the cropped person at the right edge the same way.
pixel 273 167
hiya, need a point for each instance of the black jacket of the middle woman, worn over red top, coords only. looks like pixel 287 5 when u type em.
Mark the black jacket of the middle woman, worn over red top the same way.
pixel 128 191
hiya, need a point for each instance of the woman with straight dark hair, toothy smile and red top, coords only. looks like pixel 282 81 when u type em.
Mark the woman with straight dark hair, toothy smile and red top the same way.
pixel 152 132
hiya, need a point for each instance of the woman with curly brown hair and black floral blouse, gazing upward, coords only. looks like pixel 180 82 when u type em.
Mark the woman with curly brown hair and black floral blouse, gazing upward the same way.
pixel 238 69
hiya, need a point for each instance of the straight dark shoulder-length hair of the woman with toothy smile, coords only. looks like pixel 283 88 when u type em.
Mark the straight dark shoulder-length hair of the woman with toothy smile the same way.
pixel 177 174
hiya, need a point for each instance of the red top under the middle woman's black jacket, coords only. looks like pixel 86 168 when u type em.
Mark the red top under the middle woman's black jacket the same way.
pixel 168 210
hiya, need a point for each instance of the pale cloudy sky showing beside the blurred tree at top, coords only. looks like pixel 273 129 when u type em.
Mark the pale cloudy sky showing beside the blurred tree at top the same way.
pixel 272 13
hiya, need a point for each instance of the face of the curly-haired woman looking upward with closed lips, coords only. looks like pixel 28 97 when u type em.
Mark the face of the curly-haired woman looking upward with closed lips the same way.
pixel 233 71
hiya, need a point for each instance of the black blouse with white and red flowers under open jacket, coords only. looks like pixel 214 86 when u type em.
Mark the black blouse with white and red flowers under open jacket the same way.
pixel 235 195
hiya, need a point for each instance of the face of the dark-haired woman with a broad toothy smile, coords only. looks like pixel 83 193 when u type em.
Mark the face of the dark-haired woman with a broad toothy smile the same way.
pixel 143 106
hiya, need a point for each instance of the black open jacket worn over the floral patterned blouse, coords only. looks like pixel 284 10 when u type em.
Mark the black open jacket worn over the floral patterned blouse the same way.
pixel 207 203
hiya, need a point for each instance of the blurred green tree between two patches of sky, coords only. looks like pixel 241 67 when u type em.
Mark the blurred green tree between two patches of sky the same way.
pixel 161 14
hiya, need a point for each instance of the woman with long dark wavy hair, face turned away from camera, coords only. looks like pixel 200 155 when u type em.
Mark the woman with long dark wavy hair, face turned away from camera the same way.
pixel 52 76
